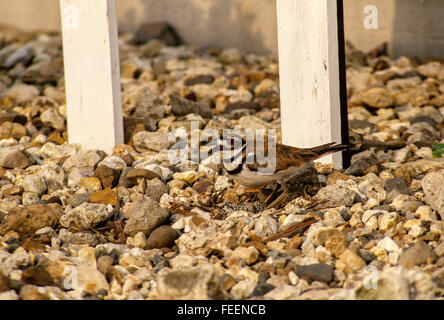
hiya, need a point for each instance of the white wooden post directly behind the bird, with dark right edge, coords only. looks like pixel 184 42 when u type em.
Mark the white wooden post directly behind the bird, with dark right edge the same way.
pixel 309 74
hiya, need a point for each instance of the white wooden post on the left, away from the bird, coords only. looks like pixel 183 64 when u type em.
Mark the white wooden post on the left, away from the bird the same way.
pixel 92 73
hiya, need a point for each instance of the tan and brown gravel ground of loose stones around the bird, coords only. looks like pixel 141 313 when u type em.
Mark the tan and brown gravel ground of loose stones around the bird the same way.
pixel 82 224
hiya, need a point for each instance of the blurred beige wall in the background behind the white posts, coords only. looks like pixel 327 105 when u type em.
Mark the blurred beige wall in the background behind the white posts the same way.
pixel 412 27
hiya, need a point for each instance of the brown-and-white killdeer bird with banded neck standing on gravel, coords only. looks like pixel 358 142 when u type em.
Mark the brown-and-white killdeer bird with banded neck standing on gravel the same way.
pixel 280 166
